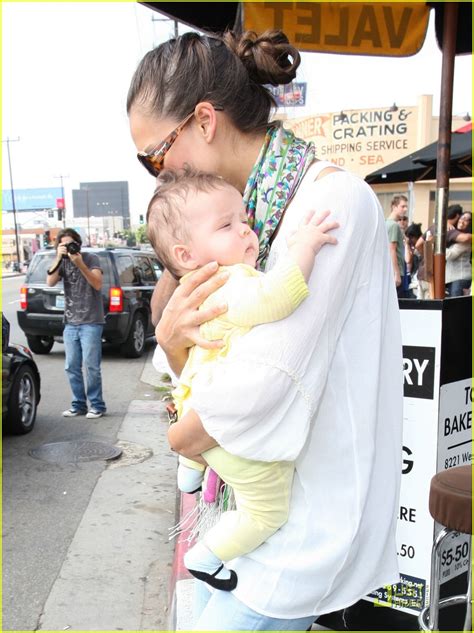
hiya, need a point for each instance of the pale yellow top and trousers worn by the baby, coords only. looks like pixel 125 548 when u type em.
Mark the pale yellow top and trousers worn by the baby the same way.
pixel 261 489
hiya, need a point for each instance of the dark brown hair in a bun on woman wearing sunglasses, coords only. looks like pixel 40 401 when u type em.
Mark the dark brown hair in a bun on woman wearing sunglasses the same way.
pixel 229 71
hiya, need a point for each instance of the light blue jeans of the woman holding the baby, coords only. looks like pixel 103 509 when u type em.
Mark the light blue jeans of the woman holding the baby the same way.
pixel 221 611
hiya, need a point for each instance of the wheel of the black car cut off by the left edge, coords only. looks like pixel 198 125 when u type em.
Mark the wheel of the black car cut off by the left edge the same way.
pixel 23 402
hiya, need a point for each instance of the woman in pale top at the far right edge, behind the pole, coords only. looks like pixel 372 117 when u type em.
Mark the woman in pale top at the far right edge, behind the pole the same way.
pixel 458 261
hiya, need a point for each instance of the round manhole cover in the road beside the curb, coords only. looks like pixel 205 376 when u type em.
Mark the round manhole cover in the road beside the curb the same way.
pixel 76 451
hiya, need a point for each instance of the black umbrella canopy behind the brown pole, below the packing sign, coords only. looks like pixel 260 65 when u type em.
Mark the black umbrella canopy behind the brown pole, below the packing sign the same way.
pixel 421 165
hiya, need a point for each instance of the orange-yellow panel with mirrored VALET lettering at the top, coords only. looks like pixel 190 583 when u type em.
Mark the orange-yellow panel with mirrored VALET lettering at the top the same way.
pixel 365 28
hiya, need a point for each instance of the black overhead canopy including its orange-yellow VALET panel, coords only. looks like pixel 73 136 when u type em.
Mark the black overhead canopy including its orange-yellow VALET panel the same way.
pixel 362 28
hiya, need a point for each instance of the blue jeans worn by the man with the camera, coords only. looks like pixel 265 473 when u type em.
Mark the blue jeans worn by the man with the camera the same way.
pixel 83 344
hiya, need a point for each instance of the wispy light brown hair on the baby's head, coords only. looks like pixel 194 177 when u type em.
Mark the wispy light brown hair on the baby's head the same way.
pixel 166 224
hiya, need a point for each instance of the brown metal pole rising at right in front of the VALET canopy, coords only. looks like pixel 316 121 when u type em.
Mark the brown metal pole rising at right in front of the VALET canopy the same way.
pixel 444 146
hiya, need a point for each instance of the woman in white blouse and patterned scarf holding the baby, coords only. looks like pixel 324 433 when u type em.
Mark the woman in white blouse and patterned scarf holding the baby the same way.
pixel 321 388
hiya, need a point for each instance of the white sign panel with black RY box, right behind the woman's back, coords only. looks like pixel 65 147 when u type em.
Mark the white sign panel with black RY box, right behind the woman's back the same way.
pixel 421 334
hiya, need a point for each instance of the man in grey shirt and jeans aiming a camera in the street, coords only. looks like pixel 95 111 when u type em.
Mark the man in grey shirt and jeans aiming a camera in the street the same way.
pixel 83 319
